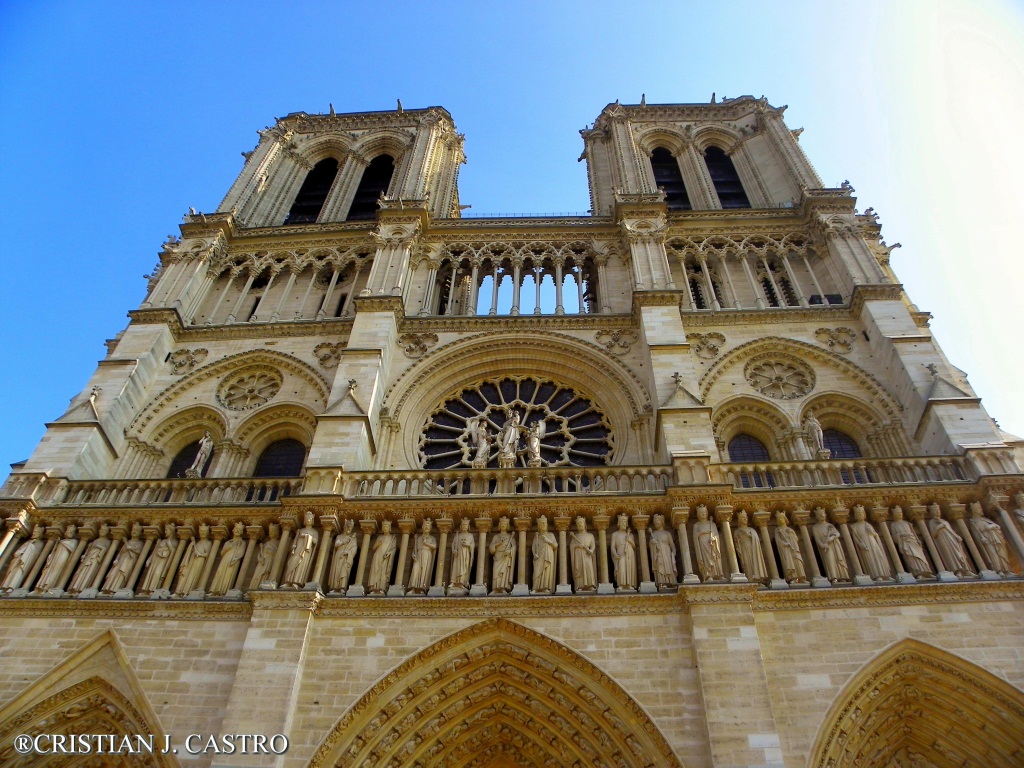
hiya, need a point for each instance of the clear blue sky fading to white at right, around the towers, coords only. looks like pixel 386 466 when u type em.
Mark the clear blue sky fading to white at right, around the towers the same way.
pixel 120 116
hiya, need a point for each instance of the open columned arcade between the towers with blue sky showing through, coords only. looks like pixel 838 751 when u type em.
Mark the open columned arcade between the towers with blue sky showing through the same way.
pixel 539 281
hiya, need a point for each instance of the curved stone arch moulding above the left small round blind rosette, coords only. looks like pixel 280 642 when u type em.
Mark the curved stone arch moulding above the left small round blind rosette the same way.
pixel 288 365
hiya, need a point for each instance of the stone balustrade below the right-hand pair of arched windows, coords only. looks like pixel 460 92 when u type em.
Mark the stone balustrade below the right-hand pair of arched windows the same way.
pixel 844 473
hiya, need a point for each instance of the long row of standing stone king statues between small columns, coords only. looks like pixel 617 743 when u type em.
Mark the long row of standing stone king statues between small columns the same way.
pixel 193 564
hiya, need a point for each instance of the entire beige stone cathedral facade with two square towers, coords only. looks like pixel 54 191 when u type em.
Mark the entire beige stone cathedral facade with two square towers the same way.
pixel 684 482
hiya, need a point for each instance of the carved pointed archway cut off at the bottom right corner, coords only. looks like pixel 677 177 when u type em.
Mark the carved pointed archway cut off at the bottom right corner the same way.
pixel 918 705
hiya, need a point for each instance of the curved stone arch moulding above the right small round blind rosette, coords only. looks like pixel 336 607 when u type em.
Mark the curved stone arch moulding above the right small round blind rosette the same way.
pixel 871 388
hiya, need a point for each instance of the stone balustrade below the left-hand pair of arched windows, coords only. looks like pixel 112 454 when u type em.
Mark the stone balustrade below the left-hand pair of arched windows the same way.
pixel 147 493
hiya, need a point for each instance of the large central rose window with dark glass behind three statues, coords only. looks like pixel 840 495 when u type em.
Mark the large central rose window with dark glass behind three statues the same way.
pixel 575 432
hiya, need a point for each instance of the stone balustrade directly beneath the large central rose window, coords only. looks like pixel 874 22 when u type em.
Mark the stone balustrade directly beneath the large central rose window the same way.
pixel 463 482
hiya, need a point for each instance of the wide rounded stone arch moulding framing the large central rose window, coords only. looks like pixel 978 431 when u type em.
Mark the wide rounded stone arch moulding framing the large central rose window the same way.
pixel 572 362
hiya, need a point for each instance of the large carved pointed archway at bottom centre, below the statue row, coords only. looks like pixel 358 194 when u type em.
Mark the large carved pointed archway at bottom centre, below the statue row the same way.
pixel 496 693
